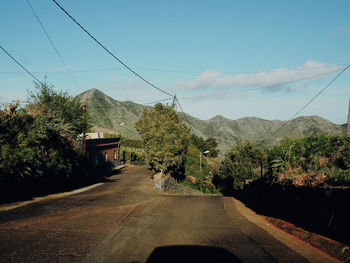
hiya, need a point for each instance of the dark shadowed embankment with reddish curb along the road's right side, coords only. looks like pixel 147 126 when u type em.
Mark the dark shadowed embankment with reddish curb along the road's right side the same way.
pixel 324 211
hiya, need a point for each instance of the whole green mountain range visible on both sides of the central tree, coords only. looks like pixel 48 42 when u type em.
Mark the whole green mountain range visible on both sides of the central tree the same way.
pixel 107 114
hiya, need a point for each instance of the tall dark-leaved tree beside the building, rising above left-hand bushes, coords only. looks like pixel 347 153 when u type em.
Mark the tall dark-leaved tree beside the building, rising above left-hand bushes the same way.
pixel 58 122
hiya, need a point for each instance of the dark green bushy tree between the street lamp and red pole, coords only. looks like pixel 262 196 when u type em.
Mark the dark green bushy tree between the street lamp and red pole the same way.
pixel 237 167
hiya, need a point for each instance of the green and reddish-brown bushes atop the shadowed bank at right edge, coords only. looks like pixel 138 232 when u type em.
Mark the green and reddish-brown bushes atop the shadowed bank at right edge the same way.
pixel 315 156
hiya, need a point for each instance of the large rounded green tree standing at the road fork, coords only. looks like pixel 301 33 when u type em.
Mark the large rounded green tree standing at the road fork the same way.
pixel 165 138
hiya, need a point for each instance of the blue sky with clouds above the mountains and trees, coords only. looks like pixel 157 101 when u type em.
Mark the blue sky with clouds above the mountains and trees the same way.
pixel 263 59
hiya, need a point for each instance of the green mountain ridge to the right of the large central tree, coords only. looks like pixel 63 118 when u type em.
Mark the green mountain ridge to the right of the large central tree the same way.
pixel 229 132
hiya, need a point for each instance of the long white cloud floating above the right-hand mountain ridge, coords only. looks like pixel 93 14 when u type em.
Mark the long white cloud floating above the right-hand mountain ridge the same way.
pixel 214 79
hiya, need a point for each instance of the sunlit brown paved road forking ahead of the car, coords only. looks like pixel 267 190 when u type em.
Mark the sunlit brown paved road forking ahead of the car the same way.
pixel 124 220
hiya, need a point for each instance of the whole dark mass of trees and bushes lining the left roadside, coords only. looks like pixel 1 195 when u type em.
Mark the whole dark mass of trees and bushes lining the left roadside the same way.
pixel 38 144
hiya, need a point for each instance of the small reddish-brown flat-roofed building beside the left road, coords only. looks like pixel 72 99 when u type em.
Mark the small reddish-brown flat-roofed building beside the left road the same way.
pixel 103 150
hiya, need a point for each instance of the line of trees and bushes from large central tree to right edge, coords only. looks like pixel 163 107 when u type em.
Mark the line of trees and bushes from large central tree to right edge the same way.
pixel 171 149
